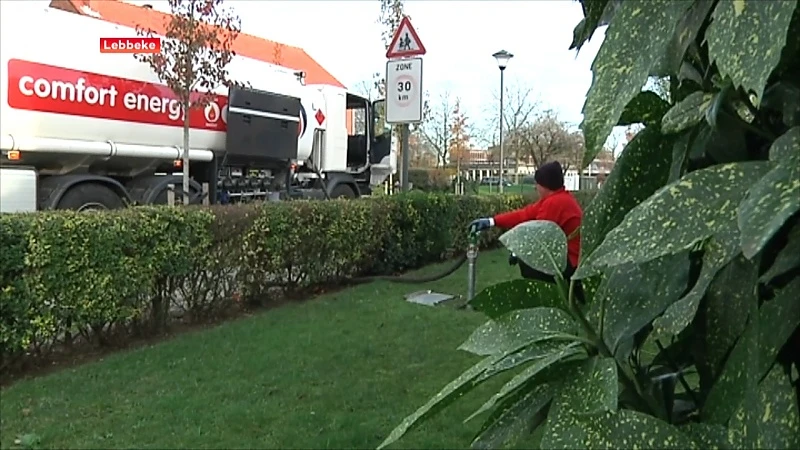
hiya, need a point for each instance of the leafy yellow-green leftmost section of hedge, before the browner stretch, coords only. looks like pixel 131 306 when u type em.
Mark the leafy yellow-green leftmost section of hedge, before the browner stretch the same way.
pixel 66 274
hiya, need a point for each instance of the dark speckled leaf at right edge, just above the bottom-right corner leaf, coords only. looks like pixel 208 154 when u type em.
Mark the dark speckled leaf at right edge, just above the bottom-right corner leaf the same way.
pixel 782 313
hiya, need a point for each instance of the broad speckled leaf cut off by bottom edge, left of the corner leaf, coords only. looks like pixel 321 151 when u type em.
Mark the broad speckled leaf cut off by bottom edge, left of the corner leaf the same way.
pixel 613 430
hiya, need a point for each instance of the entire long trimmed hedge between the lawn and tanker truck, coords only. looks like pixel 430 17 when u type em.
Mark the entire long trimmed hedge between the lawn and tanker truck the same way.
pixel 106 277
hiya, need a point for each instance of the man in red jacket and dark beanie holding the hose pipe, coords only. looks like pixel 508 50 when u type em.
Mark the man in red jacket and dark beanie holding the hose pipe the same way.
pixel 555 204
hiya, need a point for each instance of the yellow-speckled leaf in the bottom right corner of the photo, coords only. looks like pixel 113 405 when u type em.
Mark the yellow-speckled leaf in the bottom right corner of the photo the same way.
pixel 770 417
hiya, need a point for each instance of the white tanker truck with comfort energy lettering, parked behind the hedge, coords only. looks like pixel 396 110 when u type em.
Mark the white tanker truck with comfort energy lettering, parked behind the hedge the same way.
pixel 81 129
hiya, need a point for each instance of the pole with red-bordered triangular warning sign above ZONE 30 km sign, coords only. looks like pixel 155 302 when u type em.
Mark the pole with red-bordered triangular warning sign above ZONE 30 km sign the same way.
pixel 404 86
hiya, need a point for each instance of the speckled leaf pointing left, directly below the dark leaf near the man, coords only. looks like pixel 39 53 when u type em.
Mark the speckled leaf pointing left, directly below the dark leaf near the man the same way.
pixel 518 328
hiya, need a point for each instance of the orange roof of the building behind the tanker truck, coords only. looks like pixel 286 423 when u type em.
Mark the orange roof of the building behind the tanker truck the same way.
pixel 248 45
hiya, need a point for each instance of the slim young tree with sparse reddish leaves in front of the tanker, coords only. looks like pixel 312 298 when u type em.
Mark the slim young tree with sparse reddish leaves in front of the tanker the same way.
pixel 194 55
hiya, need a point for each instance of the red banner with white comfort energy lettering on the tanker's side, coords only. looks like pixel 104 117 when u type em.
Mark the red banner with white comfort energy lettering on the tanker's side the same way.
pixel 45 88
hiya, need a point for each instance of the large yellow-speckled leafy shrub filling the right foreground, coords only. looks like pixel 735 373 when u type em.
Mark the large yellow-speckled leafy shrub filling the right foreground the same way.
pixel 690 251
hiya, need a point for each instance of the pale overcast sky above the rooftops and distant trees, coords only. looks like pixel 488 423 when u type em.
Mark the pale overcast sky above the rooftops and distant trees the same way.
pixel 459 35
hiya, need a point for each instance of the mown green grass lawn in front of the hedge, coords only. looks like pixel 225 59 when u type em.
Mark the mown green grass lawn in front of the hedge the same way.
pixel 336 372
